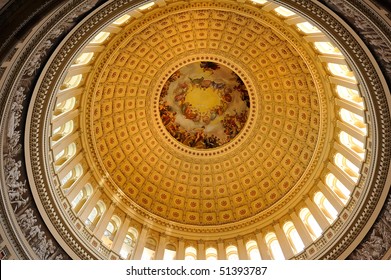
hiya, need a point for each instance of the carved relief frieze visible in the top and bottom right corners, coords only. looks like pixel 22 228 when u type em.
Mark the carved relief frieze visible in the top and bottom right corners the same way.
pixel 373 30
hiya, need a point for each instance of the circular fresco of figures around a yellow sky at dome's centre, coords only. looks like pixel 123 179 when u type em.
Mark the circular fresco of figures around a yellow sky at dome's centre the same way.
pixel 204 105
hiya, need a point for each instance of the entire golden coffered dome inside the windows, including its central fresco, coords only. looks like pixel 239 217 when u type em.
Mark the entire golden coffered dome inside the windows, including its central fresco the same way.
pixel 150 132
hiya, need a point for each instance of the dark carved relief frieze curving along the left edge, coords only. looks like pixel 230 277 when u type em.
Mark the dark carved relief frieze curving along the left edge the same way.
pixel 16 92
